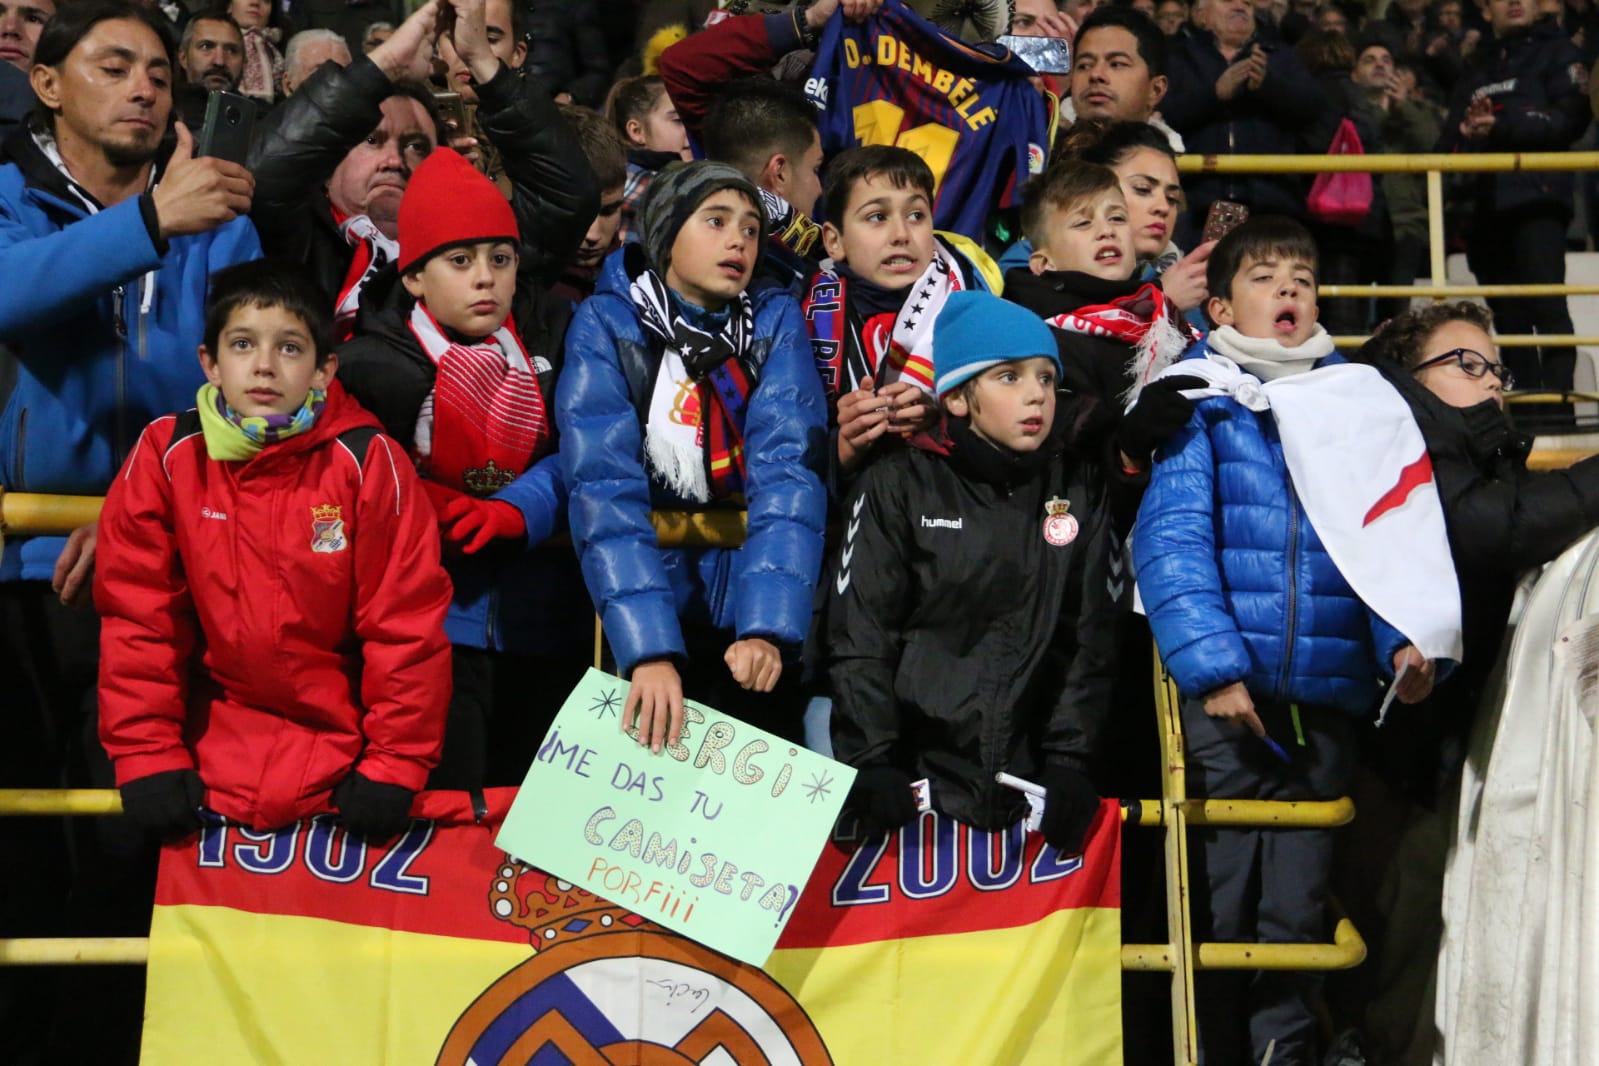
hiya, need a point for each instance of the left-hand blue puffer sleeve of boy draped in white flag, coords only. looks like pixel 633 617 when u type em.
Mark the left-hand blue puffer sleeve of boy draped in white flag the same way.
pixel 1179 579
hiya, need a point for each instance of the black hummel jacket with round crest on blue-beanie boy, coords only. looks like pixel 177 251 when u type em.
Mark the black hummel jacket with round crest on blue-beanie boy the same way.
pixel 962 642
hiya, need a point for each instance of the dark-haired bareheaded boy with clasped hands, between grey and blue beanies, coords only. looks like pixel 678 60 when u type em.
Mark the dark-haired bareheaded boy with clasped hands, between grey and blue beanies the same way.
pixel 872 309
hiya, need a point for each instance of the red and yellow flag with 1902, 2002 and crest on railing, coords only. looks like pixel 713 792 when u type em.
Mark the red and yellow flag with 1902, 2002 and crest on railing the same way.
pixel 309 947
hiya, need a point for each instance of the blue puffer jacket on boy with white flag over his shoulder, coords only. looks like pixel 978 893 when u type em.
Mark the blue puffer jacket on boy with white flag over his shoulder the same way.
pixel 1238 586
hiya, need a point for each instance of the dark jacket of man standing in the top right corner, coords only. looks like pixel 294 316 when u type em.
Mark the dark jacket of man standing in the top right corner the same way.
pixel 1539 86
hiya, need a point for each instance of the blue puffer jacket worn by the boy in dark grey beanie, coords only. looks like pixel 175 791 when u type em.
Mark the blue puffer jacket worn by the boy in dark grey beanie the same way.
pixel 642 591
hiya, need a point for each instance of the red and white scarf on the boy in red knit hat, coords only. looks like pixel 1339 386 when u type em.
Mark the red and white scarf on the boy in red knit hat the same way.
pixel 485 421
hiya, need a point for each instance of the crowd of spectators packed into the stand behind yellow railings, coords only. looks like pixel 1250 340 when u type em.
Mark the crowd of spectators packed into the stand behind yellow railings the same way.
pixel 500 277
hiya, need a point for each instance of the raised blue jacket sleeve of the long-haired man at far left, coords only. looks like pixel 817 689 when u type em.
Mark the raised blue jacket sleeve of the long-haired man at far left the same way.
pixel 71 269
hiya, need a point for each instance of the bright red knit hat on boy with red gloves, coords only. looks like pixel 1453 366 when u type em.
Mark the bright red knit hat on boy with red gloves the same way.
pixel 449 202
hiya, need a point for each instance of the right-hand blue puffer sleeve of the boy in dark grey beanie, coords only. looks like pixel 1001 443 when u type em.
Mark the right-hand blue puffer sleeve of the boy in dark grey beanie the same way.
pixel 784 437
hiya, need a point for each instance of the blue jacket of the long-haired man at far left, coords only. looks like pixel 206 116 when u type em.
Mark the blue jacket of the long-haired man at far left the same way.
pixel 98 357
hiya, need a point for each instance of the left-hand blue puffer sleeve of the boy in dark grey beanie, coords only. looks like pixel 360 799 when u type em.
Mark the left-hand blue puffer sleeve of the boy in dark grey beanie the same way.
pixel 604 461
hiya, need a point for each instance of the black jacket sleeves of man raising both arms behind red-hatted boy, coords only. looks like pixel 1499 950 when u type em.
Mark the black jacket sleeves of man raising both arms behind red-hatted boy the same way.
pixel 305 140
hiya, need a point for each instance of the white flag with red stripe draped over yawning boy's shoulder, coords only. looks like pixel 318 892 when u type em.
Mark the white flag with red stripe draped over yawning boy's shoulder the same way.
pixel 1360 466
